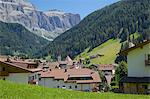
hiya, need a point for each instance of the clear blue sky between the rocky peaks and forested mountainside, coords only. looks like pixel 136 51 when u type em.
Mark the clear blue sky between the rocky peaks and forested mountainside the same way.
pixel 82 7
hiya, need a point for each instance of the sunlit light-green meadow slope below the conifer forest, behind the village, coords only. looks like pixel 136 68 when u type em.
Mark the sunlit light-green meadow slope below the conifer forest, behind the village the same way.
pixel 109 49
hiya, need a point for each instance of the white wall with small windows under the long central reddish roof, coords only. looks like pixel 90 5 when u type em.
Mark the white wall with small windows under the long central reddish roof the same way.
pixel 49 82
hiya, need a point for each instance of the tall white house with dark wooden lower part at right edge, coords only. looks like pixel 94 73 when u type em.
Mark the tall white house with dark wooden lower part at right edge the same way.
pixel 138 78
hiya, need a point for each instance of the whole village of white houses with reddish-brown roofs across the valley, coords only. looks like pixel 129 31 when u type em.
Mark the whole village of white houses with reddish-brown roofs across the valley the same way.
pixel 73 75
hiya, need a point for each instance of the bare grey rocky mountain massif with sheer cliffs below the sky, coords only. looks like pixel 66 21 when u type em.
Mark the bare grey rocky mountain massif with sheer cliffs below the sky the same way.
pixel 48 24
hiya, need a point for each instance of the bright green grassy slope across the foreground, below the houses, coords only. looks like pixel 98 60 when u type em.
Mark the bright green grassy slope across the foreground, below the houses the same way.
pixel 10 90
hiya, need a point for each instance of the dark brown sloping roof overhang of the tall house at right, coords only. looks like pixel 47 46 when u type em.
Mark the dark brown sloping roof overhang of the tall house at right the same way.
pixel 125 52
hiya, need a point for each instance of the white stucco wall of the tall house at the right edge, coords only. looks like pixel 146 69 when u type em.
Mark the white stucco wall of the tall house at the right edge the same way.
pixel 136 62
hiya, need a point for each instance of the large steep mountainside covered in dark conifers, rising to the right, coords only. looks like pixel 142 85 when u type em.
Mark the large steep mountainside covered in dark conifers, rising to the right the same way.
pixel 111 22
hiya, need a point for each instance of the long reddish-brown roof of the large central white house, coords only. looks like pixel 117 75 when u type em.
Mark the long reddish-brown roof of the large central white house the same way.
pixel 64 74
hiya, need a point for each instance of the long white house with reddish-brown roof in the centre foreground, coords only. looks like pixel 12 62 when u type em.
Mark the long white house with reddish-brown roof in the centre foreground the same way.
pixel 73 79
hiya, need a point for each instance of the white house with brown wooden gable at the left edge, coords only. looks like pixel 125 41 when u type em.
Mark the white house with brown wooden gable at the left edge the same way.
pixel 17 73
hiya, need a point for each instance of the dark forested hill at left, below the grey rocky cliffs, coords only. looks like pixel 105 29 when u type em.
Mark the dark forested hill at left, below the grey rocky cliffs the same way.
pixel 15 40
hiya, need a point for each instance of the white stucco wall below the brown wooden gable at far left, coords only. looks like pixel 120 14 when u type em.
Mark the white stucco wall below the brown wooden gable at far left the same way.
pixel 18 77
